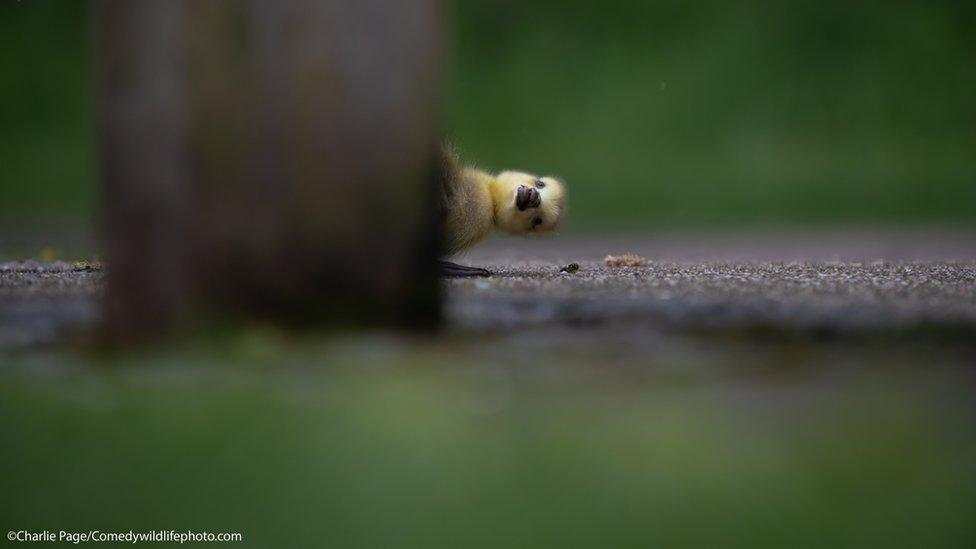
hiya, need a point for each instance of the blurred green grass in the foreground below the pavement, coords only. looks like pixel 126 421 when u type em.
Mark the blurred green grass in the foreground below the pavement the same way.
pixel 310 444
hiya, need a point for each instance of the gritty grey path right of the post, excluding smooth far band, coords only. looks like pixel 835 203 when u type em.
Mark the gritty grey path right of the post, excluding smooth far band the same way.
pixel 832 297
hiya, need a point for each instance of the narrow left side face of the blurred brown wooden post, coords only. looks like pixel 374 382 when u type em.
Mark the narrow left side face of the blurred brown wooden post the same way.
pixel 144 165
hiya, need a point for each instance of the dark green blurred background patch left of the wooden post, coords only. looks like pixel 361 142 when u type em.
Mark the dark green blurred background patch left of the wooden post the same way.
pixel 47 152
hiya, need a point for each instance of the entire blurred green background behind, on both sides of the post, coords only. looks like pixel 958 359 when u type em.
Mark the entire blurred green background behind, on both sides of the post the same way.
pixel 656 113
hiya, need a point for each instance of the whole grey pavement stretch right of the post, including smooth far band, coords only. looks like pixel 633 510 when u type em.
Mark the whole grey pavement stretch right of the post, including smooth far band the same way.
pixel 828 284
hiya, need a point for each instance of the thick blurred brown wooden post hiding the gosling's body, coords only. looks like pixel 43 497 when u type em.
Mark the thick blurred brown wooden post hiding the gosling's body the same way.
pixel 269 159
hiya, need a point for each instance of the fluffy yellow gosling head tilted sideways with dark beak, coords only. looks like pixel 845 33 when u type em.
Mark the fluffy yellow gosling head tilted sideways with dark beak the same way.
pixel 527 204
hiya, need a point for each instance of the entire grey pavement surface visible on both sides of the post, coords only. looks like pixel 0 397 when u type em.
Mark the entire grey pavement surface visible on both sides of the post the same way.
pixel 824 286
